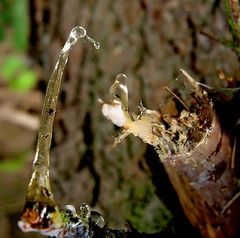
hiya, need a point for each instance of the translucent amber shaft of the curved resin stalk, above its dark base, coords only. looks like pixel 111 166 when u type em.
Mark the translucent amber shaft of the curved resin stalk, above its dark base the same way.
pixel 40 176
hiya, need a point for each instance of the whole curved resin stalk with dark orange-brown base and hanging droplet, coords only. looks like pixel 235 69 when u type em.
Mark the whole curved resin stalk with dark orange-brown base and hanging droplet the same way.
pixel 41 212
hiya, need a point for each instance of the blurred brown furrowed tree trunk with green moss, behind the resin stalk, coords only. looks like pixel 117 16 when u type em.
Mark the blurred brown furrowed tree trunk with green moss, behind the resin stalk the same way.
pixel 147 41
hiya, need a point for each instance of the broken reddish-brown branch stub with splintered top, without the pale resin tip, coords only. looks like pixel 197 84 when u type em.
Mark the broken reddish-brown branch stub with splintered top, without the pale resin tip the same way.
pixel 196 154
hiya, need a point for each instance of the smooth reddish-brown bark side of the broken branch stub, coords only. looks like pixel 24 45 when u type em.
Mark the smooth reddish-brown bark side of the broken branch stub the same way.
pixel 206 181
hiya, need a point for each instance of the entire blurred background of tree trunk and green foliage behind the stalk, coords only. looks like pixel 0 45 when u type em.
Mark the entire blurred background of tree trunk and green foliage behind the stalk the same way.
pixel 147 40
